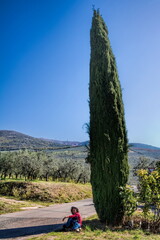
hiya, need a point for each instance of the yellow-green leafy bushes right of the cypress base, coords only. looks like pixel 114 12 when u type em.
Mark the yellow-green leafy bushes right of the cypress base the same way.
pixel 148 200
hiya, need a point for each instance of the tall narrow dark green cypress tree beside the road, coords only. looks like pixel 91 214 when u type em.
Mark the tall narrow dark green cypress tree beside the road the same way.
pixel 107 130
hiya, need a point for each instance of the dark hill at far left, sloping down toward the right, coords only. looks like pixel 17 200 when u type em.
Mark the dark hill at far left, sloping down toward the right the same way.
pixel 12 140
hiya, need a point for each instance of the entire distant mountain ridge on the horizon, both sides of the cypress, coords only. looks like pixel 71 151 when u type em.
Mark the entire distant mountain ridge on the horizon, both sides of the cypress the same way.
pixel 13 140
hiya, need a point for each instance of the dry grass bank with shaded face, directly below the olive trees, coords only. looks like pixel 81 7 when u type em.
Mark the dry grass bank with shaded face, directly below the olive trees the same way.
pixel 51 192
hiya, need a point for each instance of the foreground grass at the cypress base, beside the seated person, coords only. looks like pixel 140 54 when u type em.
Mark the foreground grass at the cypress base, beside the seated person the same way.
pixel 94 230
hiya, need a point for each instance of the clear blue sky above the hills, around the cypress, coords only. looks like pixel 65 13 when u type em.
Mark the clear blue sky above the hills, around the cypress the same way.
pixel 44 65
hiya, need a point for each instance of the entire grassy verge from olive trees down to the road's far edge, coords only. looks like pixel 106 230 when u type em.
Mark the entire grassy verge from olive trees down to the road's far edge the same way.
pixel 39 193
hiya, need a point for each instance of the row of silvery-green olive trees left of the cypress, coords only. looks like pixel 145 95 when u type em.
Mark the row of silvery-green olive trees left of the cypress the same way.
pixel 32 165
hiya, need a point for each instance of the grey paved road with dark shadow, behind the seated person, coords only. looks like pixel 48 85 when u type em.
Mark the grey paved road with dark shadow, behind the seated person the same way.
pixel 25 224
